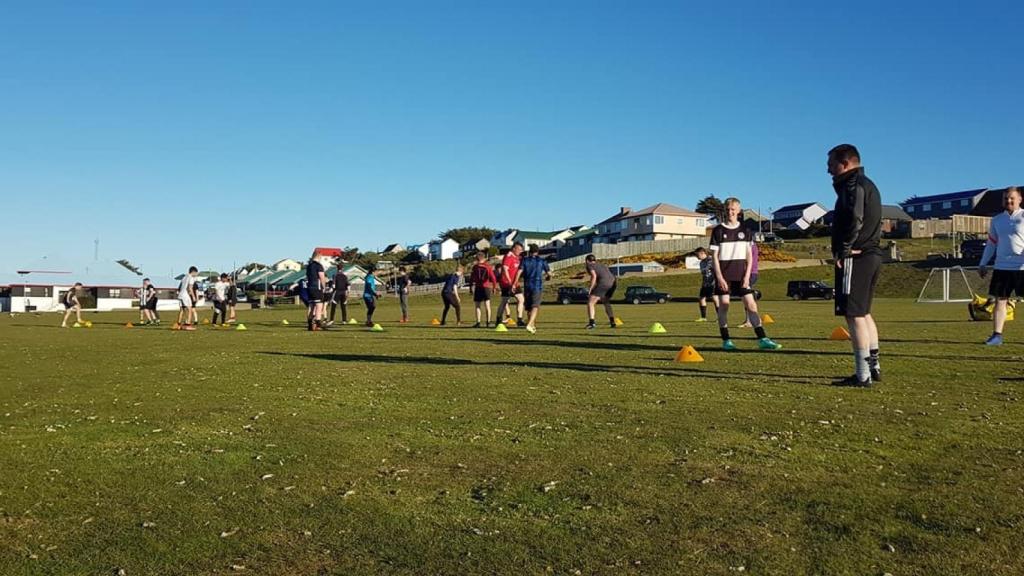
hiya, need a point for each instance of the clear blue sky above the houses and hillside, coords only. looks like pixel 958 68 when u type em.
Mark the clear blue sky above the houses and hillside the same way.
pixel 209 133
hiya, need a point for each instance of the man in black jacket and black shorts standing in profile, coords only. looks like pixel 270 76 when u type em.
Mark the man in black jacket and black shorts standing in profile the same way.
pixel 857 232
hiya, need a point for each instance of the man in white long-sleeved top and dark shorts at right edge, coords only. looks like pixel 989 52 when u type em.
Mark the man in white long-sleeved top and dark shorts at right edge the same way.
pixel 1006 243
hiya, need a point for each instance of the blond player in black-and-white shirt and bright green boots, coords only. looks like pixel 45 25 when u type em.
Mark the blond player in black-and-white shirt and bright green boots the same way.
pixel 731 249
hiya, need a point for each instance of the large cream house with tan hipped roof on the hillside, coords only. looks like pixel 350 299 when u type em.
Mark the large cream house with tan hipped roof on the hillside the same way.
pixel 660 222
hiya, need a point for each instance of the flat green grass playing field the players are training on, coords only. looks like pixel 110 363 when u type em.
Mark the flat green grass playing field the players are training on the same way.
pixel 428 450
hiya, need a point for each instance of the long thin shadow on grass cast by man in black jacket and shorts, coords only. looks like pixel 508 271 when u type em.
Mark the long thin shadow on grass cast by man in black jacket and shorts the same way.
pixel 681 373
